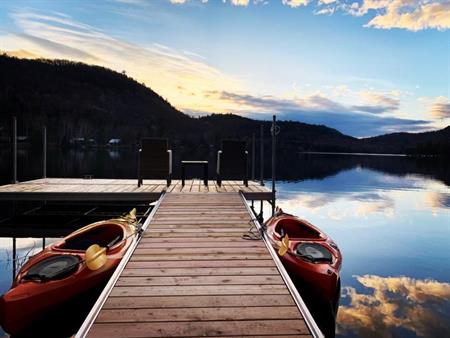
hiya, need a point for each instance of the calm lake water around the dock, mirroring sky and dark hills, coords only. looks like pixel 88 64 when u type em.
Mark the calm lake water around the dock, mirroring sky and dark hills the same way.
pixel 390 217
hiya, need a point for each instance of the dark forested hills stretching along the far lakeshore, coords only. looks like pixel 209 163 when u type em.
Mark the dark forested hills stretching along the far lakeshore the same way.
pixel 75 100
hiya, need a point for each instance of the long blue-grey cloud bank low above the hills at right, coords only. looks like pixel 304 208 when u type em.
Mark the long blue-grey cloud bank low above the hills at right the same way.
pixel 318 109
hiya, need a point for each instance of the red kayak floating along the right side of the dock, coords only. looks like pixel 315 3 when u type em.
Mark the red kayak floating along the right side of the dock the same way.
pixel 311 256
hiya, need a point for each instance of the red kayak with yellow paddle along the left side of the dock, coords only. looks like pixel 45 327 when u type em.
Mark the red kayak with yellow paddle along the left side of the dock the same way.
pixel 80 262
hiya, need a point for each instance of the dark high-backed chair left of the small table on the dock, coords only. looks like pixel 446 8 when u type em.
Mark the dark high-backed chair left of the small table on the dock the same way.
pixel 155 160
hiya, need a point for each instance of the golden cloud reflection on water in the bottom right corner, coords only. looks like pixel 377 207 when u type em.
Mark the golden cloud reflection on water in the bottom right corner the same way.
pixel 414 305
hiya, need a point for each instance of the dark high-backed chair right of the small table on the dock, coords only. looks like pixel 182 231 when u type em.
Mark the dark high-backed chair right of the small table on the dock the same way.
pixel 232 161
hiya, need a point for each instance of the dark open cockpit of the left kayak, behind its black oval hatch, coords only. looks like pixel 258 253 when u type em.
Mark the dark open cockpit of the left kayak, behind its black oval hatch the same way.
pixel 102 235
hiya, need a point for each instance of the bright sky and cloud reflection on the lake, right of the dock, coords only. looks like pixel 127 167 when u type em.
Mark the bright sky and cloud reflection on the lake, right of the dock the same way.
pixel 385 225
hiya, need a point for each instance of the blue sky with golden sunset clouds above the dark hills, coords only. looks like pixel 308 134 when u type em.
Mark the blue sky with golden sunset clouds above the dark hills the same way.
pixel 366 67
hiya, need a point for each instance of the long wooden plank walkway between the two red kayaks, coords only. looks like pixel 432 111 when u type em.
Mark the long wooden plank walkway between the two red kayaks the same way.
pixel 192 274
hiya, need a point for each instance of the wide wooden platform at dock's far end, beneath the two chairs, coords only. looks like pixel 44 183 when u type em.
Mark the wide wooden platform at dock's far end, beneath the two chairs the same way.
pixel 121 189
